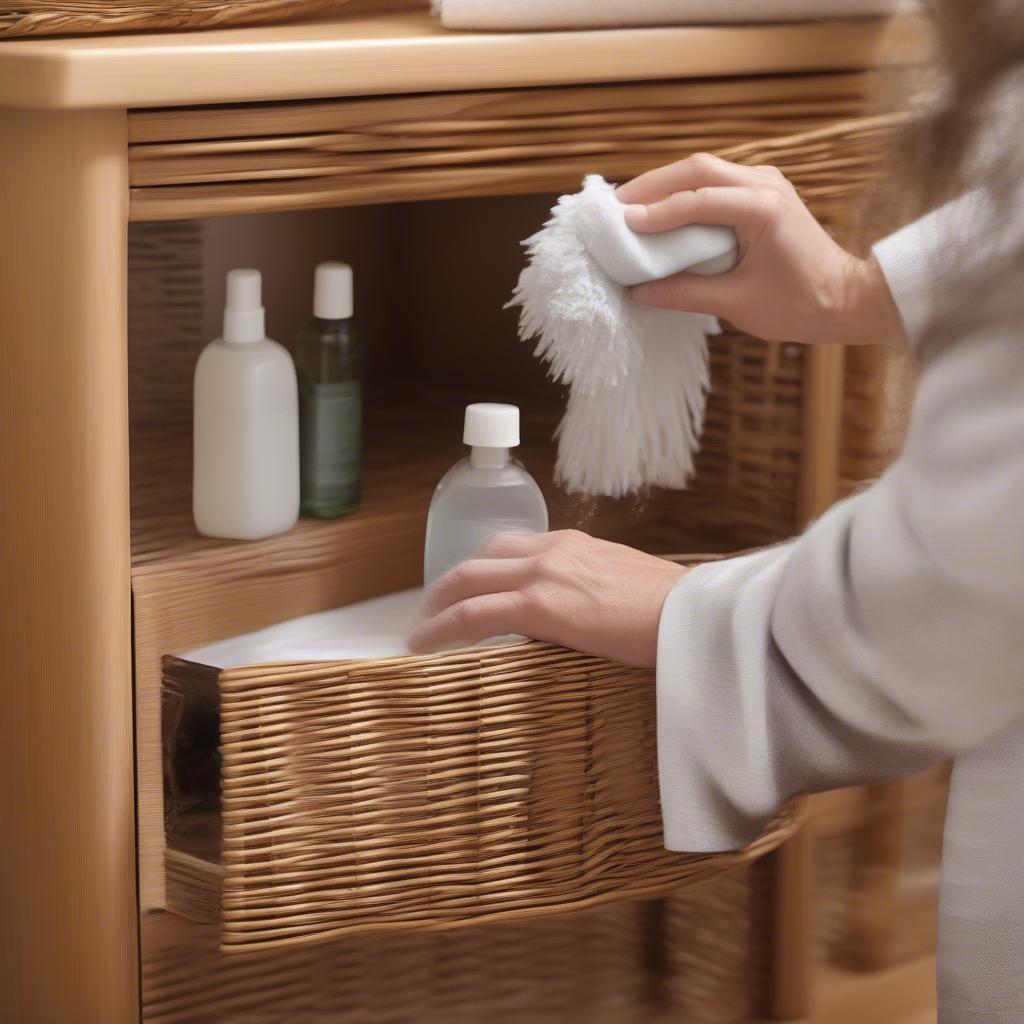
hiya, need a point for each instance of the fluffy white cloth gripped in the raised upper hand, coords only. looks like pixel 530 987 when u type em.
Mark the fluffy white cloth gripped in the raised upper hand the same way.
pixel 637 376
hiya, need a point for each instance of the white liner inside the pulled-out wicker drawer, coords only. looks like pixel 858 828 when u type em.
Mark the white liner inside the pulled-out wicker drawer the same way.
pixel 377 628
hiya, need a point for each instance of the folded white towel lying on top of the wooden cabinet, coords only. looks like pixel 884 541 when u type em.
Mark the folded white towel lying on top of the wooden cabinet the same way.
pixel 526 15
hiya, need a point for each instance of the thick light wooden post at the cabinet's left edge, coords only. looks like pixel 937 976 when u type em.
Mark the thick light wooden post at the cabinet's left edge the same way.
pixel 68 940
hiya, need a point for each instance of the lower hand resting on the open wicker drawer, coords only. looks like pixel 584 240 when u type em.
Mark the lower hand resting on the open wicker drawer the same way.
pixel 564 587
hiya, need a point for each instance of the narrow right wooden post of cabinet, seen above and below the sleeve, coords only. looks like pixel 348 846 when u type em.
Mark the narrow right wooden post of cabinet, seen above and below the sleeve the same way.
pixel 820 484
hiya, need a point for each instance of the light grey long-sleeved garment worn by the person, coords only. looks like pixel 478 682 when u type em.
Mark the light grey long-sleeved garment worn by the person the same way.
pixel 887 637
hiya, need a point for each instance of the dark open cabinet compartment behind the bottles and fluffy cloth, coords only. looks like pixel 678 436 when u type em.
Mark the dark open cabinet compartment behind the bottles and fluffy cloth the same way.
pixel 432 283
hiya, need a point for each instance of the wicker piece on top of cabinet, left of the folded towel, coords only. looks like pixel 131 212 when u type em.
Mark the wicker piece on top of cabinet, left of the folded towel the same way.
pixel 48 18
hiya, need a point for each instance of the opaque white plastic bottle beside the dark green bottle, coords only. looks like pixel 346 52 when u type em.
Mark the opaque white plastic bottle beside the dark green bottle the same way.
pixel 246 425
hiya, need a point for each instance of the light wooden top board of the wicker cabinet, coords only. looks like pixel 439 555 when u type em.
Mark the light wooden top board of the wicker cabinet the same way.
pixel 410 53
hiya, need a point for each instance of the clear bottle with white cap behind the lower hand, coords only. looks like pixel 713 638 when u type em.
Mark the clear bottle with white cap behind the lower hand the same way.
pixel 486 494
